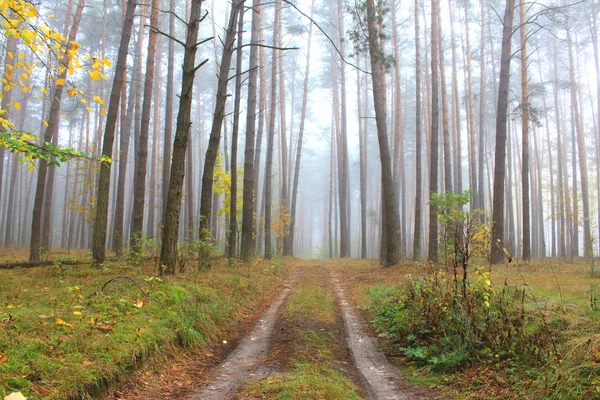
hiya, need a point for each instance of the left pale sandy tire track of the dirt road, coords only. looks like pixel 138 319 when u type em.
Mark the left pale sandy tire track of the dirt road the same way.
pixel 243 363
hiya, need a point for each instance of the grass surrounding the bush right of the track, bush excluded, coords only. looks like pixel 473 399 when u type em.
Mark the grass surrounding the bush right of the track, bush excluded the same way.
pixel 560 307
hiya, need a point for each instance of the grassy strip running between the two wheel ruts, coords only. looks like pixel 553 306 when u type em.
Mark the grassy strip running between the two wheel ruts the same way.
pixel 313 375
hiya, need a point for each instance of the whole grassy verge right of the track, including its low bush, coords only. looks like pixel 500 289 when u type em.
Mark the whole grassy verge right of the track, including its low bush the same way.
pixel 523 331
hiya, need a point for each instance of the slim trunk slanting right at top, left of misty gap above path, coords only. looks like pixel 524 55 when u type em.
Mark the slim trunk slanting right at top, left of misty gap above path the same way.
pixel 288 244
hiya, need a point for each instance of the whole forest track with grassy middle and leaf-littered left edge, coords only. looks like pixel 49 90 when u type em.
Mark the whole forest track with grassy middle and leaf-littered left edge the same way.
pixel 310 335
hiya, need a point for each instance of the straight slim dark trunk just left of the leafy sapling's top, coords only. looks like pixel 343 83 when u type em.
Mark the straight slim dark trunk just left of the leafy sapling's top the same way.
pixel 435 120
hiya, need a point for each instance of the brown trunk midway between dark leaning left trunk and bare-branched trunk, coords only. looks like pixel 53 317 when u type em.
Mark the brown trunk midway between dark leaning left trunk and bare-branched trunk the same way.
pixel 139 191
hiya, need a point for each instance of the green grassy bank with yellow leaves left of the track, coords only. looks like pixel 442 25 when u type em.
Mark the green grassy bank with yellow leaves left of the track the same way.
pixel 67 332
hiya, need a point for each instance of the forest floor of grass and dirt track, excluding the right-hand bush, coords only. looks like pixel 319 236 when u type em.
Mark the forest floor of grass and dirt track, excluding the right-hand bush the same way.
pixel 287 328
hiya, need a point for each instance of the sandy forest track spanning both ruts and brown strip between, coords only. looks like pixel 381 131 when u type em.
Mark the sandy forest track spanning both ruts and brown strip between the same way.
pixel 282 331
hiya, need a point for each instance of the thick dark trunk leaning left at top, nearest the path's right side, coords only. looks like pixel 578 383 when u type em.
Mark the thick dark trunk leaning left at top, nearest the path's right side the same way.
pixel 390 224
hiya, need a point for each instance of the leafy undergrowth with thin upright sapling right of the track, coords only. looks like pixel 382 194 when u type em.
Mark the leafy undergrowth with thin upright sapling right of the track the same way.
pixel 494 341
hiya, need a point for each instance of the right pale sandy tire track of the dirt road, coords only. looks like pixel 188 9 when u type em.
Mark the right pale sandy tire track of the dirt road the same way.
pixel 382 380
